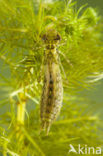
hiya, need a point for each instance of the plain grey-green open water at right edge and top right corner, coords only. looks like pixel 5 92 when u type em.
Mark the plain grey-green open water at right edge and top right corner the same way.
pixel 94 96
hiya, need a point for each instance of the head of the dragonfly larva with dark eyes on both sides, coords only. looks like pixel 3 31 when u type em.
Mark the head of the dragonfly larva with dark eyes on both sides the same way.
pixel 51 37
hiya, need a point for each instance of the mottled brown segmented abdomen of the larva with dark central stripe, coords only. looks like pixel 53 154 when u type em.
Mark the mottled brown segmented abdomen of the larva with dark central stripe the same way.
pixel 52 95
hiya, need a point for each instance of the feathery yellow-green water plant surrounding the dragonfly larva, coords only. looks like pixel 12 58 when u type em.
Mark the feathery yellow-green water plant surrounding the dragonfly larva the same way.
pixel 22 24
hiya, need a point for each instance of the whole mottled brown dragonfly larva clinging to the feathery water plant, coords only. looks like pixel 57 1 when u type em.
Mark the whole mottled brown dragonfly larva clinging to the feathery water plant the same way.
pixel 52 93
